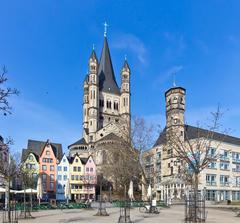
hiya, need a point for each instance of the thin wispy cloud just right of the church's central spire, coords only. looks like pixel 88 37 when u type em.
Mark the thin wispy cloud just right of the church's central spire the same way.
pixel 132 43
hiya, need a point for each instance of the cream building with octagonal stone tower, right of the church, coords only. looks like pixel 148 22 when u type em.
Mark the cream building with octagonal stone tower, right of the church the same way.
pixel 220 180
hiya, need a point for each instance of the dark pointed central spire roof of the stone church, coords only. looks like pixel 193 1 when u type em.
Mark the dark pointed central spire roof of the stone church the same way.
pixel 107 80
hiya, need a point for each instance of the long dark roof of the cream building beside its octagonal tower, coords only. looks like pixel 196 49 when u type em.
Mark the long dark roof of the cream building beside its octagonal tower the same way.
pixel 193 132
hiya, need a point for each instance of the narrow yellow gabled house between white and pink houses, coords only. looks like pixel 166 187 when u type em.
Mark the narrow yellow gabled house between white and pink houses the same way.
pixel 77 178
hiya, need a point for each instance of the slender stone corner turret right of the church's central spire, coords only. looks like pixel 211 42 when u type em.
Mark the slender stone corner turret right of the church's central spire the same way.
pixel 125 95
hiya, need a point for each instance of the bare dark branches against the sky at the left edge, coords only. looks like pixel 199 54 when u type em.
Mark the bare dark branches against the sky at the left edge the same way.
pixel 5 93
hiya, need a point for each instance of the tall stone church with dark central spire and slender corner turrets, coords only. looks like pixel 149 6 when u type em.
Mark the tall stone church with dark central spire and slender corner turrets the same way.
pixel 106 106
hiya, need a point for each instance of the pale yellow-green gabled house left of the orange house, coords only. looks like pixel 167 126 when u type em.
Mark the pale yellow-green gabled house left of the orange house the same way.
pixel 31 166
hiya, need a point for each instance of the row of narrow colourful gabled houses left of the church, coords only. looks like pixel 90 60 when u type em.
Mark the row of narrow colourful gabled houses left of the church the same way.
pixel 45 159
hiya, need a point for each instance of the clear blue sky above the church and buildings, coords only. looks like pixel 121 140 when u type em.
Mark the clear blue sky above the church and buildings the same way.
pixel 46 45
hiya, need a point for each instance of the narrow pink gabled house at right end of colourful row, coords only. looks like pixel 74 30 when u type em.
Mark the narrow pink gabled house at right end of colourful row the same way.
pixel 90 178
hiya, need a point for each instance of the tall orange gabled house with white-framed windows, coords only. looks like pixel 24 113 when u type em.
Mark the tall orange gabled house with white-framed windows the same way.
pixel 48 170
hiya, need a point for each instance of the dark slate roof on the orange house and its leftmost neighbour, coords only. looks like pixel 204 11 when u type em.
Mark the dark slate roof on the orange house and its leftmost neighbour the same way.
pixel 37 147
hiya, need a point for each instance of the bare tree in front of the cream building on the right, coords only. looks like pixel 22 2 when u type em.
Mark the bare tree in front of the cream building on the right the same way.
pixel 194 152
